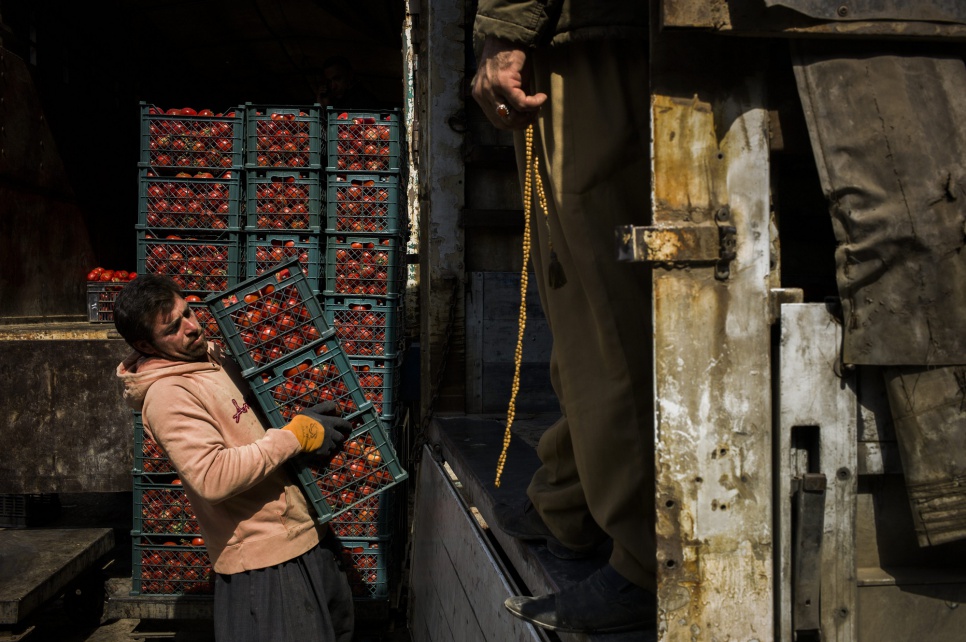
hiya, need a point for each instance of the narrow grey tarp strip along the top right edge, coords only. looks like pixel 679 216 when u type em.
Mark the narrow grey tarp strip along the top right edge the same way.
pixel 911 10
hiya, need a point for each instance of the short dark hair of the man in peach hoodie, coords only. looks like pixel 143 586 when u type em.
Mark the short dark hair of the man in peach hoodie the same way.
pixel 137 306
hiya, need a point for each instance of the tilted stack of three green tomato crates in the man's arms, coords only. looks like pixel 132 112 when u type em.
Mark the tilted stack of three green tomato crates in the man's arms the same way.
pixel 292 359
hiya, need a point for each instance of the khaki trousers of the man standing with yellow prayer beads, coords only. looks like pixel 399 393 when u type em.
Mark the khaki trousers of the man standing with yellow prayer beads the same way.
pixel 597 461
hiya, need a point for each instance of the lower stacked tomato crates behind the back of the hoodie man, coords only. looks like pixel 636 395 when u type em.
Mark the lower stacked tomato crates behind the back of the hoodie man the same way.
pixel 168 552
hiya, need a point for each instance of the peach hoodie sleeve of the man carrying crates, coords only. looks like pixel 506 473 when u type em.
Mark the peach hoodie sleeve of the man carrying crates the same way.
pixel 199 451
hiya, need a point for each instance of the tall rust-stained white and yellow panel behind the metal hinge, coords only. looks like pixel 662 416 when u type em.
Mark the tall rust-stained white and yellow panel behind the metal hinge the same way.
pixel 712 368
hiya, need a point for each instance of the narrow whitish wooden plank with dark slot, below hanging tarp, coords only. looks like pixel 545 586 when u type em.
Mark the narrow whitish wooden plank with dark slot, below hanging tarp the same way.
pixel 813 395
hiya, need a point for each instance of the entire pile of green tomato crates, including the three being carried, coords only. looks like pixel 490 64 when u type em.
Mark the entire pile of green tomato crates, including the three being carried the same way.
pixel 300 208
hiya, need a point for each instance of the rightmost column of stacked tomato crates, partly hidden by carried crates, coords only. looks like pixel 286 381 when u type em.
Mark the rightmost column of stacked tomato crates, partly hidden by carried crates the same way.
pixel 363 290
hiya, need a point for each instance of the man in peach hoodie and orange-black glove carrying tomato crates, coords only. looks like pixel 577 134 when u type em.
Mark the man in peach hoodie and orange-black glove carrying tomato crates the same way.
pixel 275 576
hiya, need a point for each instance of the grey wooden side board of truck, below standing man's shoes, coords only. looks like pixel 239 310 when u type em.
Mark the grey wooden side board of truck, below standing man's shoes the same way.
pixel 454 561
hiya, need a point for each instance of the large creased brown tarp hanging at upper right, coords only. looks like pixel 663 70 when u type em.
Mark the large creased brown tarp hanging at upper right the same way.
pixel 889 136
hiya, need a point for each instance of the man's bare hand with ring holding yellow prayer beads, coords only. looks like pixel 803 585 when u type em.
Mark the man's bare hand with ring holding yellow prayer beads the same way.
pixel 503 78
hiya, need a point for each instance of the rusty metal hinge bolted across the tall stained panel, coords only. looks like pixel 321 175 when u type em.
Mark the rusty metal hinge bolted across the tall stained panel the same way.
pixel 683 244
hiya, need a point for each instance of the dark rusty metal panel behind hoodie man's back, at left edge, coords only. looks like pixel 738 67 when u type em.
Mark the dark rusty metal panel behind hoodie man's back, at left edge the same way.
pixel 63 424
